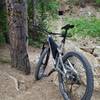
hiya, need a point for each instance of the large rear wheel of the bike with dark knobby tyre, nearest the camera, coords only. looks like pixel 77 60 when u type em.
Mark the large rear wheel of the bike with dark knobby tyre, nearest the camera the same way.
pixel 73 89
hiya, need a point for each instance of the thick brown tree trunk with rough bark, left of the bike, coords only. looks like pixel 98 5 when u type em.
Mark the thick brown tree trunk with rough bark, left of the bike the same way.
pixel 18 29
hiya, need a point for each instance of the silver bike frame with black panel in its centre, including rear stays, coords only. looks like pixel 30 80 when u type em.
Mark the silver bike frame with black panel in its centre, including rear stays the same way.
pixel 57 55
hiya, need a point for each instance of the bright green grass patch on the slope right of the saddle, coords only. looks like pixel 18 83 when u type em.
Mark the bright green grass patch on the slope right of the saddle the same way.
pixel 85 27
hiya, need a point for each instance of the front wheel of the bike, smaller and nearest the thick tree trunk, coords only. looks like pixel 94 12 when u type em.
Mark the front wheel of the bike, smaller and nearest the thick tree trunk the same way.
pixel 42 63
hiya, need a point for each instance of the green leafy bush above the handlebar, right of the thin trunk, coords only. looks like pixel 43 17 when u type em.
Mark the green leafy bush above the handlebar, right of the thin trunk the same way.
pixel 46 9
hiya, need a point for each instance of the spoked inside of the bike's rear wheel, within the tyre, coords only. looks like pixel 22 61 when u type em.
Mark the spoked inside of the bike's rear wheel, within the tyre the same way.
pixel 77 82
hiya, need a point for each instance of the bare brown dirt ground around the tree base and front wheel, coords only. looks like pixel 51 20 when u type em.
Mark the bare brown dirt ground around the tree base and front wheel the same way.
pixel 14 85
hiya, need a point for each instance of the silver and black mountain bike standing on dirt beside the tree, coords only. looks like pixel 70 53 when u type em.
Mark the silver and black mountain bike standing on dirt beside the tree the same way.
pixel 75 75
